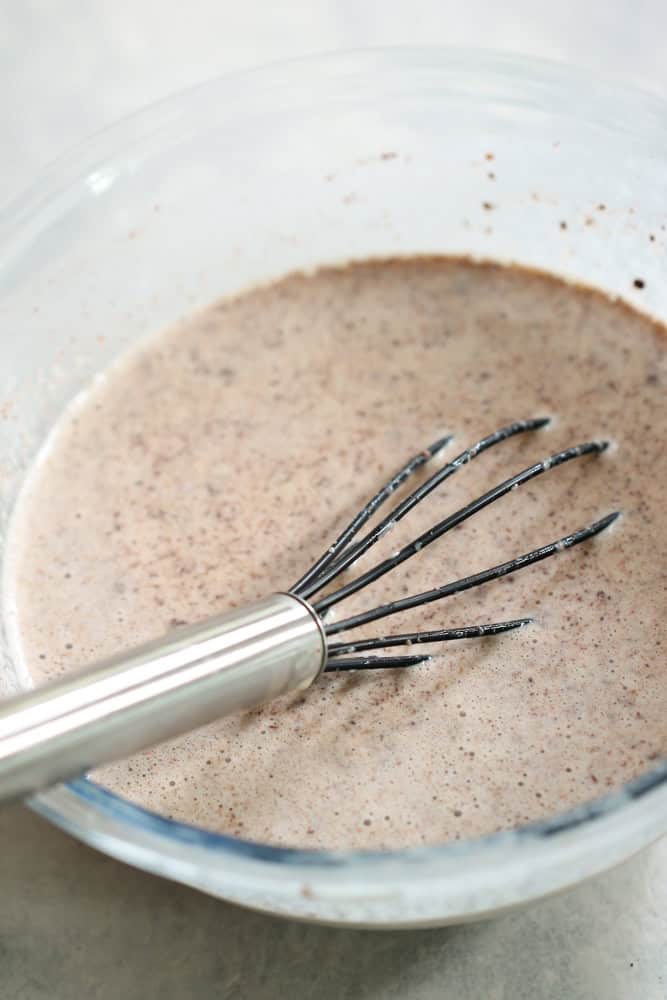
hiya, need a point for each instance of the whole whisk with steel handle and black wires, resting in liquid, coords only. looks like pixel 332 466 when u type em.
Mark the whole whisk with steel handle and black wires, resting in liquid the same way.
pixel 277 645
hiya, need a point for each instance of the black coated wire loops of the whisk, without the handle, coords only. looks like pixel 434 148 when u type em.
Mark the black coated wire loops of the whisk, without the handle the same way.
pixel 344 551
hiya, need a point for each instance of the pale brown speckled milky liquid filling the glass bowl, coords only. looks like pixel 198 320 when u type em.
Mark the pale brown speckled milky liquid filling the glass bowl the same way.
pixel 214 464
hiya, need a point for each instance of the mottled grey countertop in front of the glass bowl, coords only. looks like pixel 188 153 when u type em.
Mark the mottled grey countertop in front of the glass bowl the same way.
pixel 75 924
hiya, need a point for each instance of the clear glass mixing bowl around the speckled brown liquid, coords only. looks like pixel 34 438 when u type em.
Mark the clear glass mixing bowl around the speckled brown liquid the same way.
pixel 318 161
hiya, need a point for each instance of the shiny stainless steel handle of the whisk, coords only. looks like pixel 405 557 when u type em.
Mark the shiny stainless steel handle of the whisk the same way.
pixel 157 691
